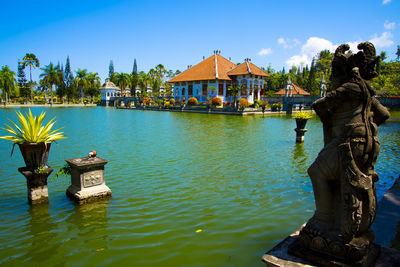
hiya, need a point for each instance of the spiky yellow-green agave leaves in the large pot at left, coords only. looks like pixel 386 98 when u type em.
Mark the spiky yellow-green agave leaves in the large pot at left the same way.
pixel 31 130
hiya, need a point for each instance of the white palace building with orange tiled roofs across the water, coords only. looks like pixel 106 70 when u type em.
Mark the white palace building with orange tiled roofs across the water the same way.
pixel 213 76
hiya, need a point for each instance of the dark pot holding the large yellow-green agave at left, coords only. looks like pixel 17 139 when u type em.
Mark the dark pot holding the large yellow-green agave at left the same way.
pixel 35 155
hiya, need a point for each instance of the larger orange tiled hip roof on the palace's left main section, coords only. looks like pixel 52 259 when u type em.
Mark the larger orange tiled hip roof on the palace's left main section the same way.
pixel 206 70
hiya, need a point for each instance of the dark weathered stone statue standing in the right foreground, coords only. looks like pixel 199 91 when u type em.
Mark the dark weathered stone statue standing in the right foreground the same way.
pixel 343 174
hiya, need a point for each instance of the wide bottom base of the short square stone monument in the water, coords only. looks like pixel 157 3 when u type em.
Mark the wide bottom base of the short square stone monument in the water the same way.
pixel 90 194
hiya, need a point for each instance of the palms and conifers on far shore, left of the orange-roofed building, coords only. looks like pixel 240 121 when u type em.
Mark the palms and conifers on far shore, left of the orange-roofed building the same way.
pixel 80 86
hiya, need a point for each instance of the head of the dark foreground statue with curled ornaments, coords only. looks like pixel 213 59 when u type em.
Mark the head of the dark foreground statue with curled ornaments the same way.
pixel 343 63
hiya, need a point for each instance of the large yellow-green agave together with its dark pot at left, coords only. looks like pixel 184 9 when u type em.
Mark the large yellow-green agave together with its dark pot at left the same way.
pixel 33 138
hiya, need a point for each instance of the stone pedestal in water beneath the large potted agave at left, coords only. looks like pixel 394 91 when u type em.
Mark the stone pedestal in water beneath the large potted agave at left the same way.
pixel 37 184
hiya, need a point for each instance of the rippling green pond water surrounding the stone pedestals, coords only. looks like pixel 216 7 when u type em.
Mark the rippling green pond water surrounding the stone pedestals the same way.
pixel 241 180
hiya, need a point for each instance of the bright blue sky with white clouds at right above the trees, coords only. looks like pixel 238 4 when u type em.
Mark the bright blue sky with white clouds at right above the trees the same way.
pixel 179 33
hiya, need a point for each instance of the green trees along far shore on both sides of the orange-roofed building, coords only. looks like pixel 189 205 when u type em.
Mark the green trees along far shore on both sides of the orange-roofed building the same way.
pixel 83 86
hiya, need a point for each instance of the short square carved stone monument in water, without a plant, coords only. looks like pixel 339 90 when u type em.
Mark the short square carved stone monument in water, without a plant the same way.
pixel 87 179
